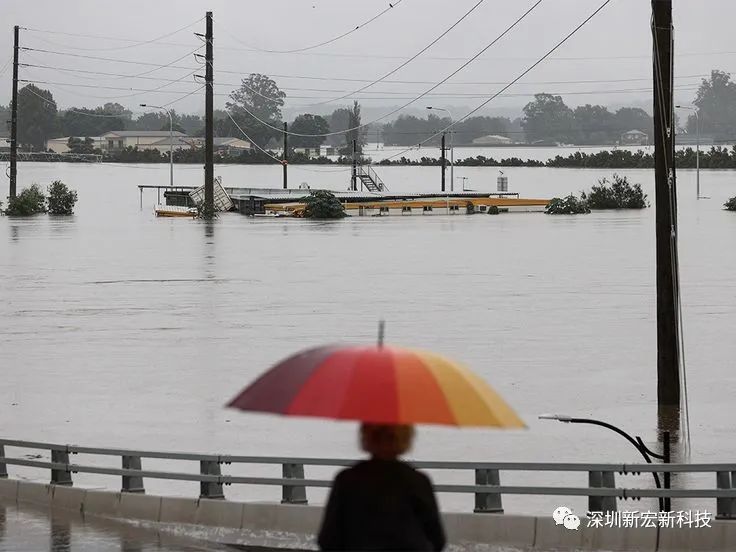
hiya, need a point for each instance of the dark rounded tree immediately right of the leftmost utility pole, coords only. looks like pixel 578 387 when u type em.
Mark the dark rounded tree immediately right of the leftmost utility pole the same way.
pixel 36 117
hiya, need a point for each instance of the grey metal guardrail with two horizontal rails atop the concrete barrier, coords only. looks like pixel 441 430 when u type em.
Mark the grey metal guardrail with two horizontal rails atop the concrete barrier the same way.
pixel 602 492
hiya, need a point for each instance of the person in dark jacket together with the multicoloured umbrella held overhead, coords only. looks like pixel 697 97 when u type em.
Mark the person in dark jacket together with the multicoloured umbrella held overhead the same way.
pixel 381 503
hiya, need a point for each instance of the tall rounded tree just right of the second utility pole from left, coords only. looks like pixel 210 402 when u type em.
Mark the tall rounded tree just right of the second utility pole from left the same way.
pixel 257 98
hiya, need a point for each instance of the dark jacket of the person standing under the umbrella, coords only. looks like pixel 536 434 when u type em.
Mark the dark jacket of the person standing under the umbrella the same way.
pixel 381 505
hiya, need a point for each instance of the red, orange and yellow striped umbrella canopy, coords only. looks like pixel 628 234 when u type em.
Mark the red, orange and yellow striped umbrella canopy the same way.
pixel 378 384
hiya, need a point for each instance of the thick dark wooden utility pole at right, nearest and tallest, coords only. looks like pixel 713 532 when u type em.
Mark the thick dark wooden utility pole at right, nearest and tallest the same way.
pixel 668 353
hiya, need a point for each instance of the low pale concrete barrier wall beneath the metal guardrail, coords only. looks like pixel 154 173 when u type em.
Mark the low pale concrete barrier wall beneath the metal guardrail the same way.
pixel 294 526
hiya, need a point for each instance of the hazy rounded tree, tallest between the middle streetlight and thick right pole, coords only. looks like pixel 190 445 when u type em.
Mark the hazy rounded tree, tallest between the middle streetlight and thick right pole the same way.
pixel 547 118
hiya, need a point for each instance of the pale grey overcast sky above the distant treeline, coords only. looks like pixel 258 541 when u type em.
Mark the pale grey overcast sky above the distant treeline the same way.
pixel 614 46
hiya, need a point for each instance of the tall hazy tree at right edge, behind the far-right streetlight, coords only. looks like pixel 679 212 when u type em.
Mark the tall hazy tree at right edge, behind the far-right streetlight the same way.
pixel 716 99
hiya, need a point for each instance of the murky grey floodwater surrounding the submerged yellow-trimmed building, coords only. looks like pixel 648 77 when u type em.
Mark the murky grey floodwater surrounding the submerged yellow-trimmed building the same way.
pixel 118 329
